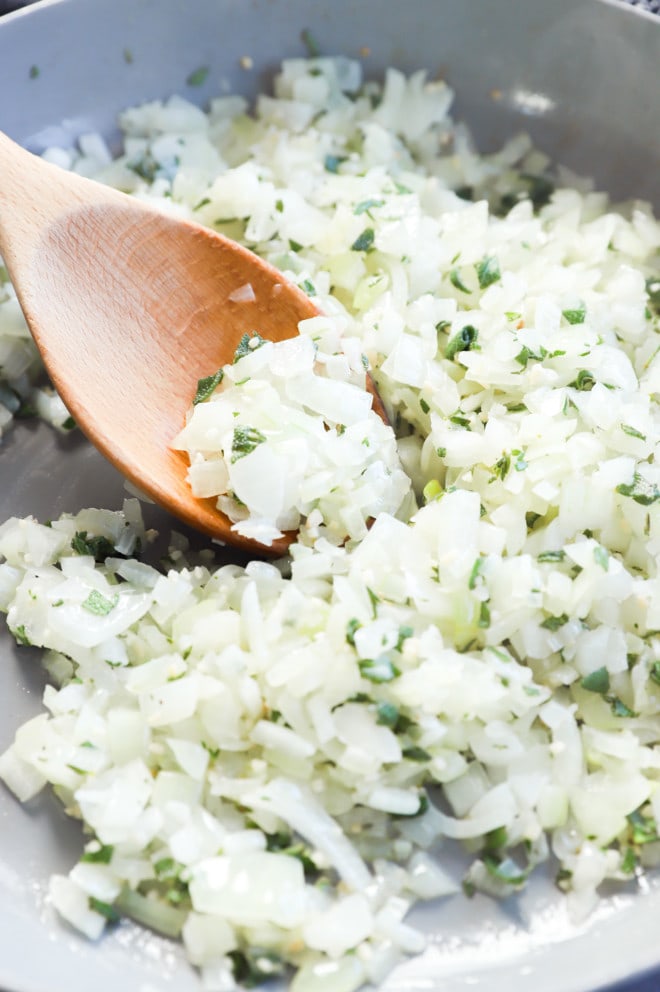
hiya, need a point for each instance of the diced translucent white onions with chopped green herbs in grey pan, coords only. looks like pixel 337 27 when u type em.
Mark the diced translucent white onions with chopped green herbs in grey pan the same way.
pixel 265 757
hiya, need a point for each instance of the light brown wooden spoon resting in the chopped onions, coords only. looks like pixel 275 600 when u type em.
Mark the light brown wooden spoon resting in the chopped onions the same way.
pixel 129 308
